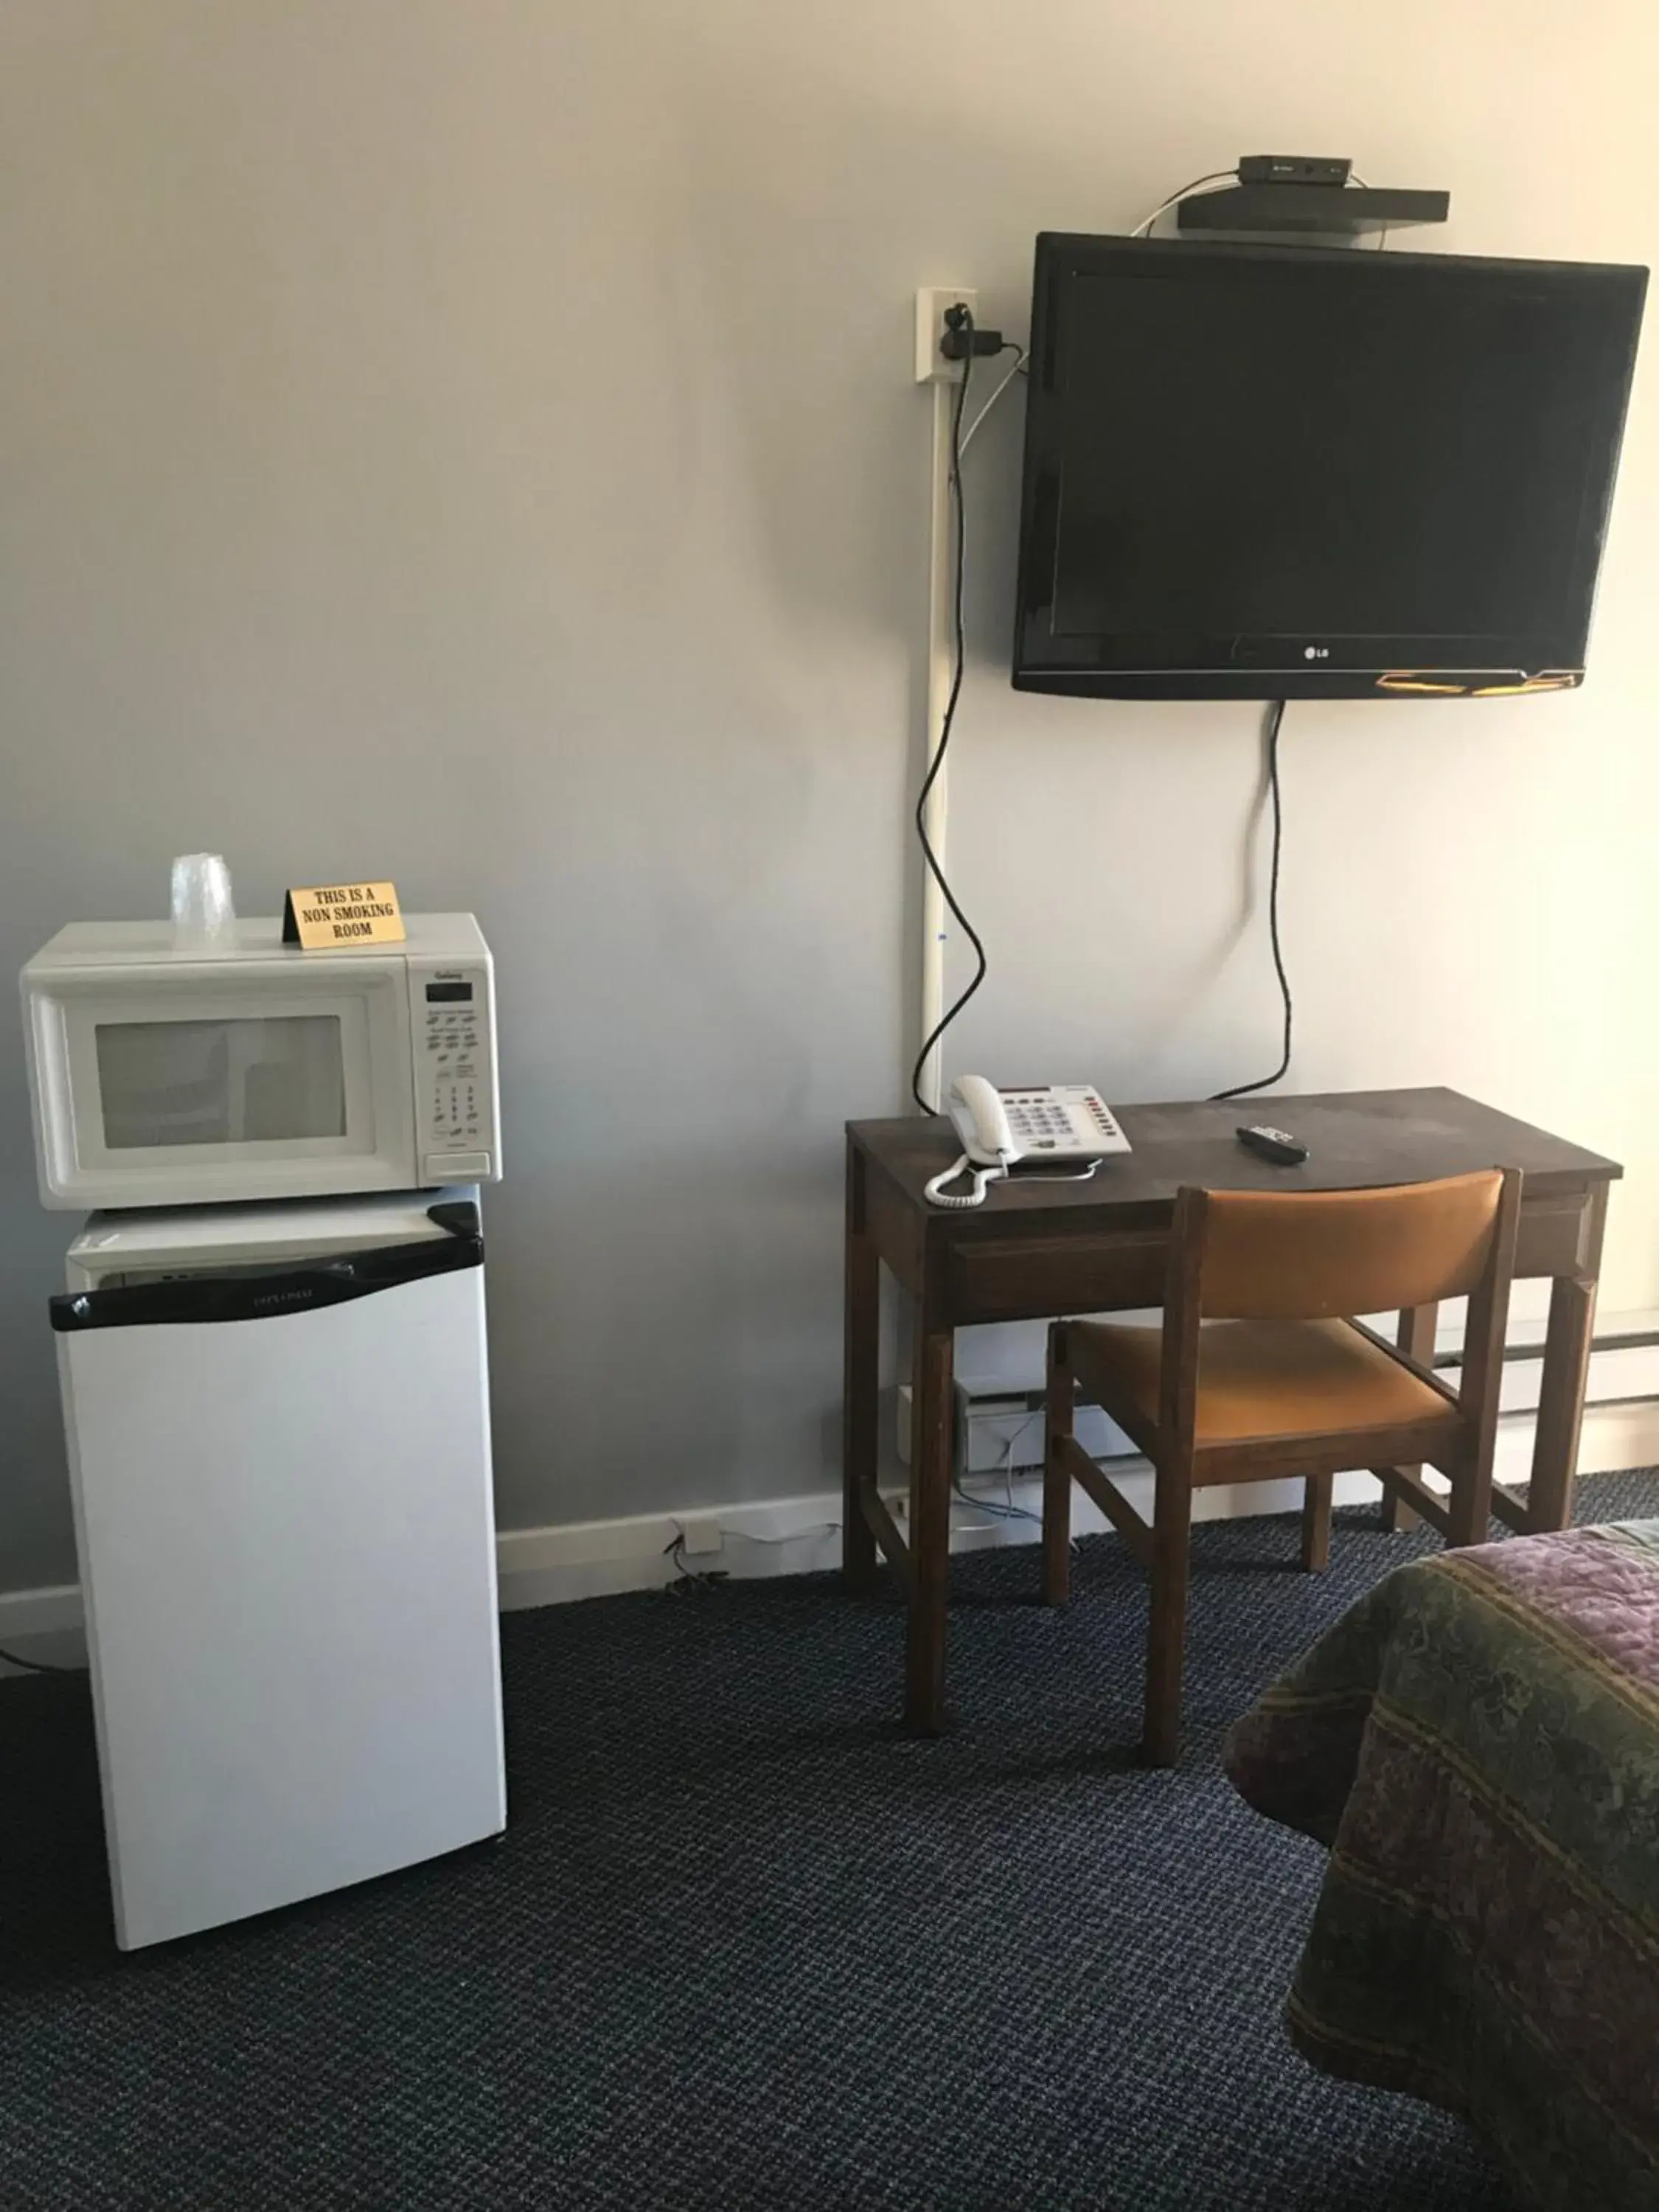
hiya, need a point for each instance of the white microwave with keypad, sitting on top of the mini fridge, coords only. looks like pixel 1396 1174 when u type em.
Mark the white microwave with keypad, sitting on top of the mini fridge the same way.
pixel 251 1070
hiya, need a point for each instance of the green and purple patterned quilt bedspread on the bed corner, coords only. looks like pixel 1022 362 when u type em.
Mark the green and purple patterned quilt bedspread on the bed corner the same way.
pixel 1479 1746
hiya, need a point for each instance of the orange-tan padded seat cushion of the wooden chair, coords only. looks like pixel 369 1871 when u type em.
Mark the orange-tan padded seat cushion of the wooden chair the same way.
pixel 1266 1377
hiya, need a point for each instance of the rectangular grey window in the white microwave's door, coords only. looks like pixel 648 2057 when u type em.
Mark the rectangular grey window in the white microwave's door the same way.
pixel 269 1081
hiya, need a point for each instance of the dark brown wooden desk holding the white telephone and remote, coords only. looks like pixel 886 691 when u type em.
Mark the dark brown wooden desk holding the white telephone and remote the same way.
pixel 1036 1251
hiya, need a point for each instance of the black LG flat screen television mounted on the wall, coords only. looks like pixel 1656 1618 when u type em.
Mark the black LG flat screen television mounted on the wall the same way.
pixel 1262 472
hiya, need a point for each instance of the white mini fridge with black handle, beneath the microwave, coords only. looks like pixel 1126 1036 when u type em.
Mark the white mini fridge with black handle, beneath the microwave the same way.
pixel 280 1457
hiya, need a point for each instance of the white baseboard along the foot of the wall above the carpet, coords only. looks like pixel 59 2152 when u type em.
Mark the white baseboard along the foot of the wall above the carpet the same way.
pixel 791 1536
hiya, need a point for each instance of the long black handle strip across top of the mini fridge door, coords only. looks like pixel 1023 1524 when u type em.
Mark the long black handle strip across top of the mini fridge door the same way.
pixel 271 1295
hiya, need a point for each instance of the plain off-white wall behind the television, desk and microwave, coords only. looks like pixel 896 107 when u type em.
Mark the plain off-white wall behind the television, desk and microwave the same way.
pixel 477 446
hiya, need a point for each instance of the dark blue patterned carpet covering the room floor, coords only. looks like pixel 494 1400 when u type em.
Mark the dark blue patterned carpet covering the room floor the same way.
pixel 744 1945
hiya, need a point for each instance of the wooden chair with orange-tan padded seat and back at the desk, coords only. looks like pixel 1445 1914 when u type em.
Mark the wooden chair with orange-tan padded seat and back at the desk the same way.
pixel 1258 1375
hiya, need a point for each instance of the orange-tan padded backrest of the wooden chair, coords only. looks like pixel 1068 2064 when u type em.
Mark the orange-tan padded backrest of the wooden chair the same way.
pixel 1313 1255
